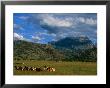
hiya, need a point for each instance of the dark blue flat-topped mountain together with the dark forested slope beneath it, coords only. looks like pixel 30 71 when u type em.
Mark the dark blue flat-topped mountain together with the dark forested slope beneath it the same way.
pixel 76 48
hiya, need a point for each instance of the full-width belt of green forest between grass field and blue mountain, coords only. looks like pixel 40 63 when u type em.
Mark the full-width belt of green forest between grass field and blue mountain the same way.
pixel 31 51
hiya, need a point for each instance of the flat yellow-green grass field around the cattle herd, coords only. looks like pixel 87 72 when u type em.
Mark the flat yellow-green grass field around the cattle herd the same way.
pixel 62 68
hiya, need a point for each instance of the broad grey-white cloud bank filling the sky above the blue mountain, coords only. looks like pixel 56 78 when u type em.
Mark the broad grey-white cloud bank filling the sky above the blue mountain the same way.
pixel 65 26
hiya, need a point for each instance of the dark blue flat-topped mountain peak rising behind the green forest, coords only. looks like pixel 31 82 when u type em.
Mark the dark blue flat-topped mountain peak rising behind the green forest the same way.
pixel 73 43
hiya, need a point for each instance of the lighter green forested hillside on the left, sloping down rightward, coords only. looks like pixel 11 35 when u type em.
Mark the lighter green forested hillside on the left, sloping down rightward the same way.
pixel 28 50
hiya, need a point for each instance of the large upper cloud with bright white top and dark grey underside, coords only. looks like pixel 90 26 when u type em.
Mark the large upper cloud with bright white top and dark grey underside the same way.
pixel 56 24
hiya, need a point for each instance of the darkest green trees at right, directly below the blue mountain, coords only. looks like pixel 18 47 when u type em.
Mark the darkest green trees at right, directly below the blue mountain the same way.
pixel 81 55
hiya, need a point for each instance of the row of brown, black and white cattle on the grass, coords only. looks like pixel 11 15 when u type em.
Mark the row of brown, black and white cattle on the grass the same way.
pixel 38 69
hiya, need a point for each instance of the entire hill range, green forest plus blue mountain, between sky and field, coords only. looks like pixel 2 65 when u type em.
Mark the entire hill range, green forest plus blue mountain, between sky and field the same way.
pixel 67 49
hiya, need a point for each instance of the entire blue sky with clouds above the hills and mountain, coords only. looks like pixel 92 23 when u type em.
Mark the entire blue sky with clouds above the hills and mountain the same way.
pixel 47 27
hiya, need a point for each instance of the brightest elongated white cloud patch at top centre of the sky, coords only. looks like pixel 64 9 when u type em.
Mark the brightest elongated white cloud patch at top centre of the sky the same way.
pixel 50 20
